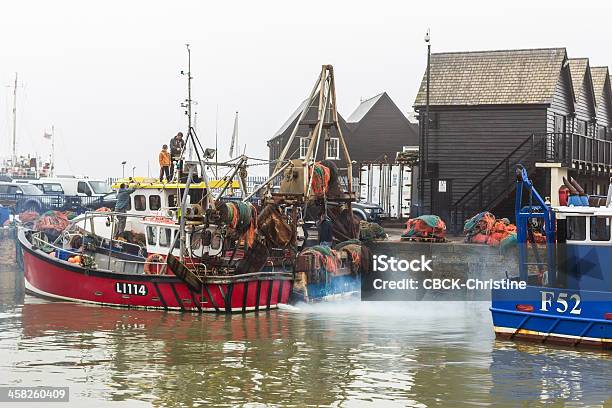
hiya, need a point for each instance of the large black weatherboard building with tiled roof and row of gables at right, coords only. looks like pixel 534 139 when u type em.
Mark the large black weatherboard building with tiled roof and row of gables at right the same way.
pixel 492 110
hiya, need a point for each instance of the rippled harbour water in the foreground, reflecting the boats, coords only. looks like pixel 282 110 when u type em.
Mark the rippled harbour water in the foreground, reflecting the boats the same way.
pixel 426 354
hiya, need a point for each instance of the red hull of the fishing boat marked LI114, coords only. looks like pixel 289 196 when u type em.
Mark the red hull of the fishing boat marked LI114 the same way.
pixel 49 277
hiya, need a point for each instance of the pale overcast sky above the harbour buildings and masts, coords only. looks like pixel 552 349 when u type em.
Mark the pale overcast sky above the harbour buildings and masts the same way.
pixel 106 73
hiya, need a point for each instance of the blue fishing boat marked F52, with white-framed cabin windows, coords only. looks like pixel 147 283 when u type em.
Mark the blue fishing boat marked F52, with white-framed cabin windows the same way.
pixel 567 295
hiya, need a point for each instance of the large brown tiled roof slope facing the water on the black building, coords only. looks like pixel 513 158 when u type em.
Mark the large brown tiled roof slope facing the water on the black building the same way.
pixel 493 77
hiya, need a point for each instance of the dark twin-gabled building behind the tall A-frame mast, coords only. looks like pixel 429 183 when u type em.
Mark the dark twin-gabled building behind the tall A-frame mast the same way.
pixel 375 131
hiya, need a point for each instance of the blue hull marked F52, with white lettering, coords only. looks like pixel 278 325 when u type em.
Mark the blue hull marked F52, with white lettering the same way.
pixel 550 315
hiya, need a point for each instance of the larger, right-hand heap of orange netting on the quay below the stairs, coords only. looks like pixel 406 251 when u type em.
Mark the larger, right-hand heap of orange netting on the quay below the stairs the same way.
pixel 484 228
